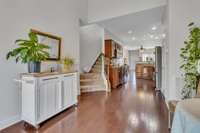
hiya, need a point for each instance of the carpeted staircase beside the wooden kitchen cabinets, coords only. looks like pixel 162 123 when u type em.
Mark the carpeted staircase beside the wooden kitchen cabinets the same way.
pixel 93 80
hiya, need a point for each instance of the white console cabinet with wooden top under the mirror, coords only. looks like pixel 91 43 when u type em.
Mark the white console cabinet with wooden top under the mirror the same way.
pixel 45 95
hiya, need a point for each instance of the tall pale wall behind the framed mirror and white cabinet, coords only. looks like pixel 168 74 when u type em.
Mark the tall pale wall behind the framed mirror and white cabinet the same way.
pixel 17 17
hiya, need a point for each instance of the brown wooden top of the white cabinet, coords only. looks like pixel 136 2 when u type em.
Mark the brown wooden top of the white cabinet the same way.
pixel 44 74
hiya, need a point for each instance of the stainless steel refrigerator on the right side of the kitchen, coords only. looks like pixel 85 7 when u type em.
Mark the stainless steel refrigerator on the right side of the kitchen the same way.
pixel 158 67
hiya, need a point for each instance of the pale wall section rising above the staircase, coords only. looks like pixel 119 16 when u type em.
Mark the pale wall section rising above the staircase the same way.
pixel 91 43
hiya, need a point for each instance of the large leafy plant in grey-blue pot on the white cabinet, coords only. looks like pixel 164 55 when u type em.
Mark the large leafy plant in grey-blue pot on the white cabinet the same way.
pixel 30 51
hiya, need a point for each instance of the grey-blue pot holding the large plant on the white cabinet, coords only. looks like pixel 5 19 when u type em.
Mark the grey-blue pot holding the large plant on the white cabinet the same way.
pixel 34 67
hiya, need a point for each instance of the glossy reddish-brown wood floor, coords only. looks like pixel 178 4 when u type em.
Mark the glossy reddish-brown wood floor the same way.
pixel 128 109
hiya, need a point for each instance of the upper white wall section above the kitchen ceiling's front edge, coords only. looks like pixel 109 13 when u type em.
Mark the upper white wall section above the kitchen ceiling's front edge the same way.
pixel 99 10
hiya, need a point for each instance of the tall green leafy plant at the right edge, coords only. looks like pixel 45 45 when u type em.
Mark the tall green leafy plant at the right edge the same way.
pixel 190 55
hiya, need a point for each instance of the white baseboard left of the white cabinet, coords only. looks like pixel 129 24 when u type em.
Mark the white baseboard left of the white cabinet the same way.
pixel 9 122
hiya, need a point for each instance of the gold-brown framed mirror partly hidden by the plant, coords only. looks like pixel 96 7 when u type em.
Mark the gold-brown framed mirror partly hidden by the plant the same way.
pixel 54 42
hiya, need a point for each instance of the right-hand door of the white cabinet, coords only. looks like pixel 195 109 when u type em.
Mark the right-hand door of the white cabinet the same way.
pixel 68 81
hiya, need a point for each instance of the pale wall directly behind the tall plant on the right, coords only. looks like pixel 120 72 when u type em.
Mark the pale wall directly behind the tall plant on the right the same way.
pixel 180 13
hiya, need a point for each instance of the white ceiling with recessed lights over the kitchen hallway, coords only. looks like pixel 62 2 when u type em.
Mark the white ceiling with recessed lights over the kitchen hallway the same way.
pixel 135 30
